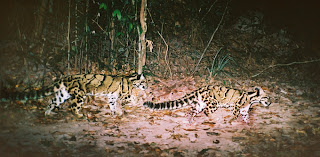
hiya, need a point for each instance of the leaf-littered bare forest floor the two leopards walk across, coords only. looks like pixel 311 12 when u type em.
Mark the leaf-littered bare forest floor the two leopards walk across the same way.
pixel 290 126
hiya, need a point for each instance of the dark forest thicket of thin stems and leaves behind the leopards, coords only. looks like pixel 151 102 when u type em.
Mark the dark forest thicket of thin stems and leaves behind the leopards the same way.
pixel 104 37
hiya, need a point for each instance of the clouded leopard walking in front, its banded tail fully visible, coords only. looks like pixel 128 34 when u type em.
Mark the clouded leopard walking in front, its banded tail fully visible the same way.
pixel 210 98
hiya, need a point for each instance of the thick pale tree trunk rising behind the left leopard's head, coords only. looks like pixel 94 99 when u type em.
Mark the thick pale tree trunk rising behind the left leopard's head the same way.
pixel 142 52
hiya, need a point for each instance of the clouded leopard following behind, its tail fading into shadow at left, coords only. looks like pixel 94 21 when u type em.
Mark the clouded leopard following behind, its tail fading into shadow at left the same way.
pixel 78 87
